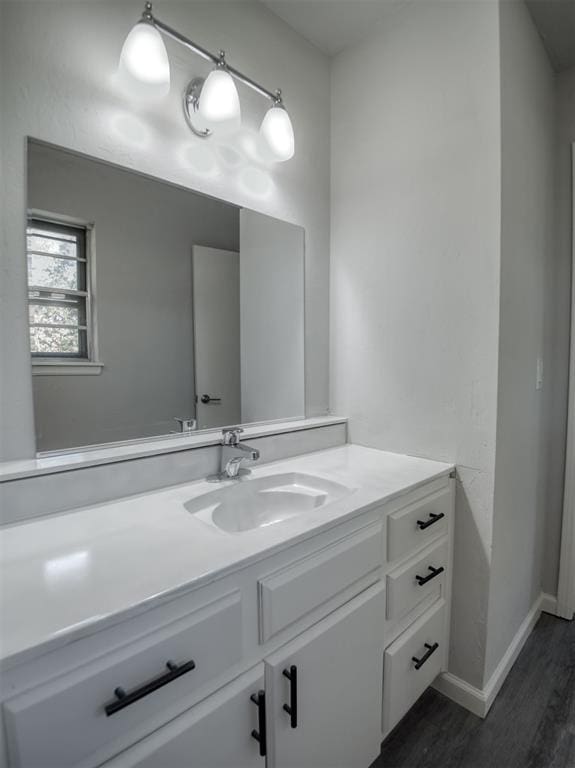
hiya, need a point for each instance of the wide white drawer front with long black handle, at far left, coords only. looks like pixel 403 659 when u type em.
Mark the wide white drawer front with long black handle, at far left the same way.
pixel 63 722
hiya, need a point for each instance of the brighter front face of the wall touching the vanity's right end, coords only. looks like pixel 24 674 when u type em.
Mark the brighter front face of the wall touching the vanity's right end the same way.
pixel 415 264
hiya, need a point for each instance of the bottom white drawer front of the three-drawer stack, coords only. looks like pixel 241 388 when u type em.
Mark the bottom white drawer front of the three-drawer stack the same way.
pixel 403 683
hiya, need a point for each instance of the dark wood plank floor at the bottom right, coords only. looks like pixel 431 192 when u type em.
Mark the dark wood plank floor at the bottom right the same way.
pixel 530 725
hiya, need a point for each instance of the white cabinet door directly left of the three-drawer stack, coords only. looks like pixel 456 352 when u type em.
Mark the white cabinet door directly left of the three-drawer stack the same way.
pixel 339 669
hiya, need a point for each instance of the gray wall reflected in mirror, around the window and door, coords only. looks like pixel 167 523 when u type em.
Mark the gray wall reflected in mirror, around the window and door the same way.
pixel 144 233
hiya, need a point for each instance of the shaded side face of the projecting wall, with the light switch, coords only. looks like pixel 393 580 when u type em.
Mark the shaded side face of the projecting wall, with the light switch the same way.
pixel 524 472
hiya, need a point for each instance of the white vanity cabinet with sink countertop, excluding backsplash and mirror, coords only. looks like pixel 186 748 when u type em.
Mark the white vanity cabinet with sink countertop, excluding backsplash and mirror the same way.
pixel 166 630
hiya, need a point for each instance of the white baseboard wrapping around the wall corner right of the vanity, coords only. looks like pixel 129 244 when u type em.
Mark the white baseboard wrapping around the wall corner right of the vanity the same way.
pixel 479 700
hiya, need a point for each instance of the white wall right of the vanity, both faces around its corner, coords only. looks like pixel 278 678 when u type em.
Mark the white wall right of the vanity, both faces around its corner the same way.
pixel 446 286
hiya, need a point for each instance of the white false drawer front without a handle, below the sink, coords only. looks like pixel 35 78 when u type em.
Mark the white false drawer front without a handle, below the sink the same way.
pixel 295 591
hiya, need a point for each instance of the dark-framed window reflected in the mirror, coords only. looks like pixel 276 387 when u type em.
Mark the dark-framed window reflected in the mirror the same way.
pixel 59 294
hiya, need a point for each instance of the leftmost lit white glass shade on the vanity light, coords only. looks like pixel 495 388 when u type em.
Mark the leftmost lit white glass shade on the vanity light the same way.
pixel 144 57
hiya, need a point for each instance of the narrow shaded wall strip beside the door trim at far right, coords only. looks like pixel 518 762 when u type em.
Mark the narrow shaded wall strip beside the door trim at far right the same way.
pixel 565 137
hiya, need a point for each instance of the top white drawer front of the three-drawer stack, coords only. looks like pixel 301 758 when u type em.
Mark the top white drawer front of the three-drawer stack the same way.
pixel 411 528
